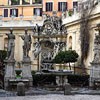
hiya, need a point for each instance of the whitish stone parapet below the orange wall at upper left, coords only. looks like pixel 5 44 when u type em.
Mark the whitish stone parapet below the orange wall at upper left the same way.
pixel 20 21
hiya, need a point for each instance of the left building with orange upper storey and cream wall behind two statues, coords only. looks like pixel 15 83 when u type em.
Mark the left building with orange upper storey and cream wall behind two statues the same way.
pixel 19 15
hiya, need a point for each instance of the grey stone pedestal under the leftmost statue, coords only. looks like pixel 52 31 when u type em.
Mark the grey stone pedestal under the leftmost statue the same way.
pixel 9 72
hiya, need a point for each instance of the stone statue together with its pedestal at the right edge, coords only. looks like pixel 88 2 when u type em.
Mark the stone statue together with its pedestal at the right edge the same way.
pixel 95 64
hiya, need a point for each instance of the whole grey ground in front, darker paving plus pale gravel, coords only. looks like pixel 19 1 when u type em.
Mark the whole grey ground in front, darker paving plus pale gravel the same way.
pixel 42 94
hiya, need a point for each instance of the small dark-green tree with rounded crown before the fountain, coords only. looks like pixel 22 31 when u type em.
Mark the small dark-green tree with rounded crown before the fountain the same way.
pixel 66 57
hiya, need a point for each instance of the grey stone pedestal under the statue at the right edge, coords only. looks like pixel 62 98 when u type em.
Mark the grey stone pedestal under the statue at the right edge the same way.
pixel 94 73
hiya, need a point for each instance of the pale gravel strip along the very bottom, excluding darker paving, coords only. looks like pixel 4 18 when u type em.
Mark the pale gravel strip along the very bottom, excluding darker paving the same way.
pixel 54 97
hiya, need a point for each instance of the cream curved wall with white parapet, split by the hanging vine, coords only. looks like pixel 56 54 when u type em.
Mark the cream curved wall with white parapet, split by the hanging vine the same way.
pixel 73 25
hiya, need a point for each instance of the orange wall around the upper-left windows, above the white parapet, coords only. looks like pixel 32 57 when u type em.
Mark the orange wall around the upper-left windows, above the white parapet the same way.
pixel 26 11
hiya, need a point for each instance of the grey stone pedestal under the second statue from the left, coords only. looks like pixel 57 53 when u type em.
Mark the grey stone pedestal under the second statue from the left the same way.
pixel 26 70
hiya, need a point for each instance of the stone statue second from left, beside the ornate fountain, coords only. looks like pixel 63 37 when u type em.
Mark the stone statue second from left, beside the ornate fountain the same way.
pixel 27 44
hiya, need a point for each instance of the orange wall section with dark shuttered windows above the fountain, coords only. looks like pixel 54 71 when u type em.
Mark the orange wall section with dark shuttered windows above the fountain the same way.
pixel 59 6
